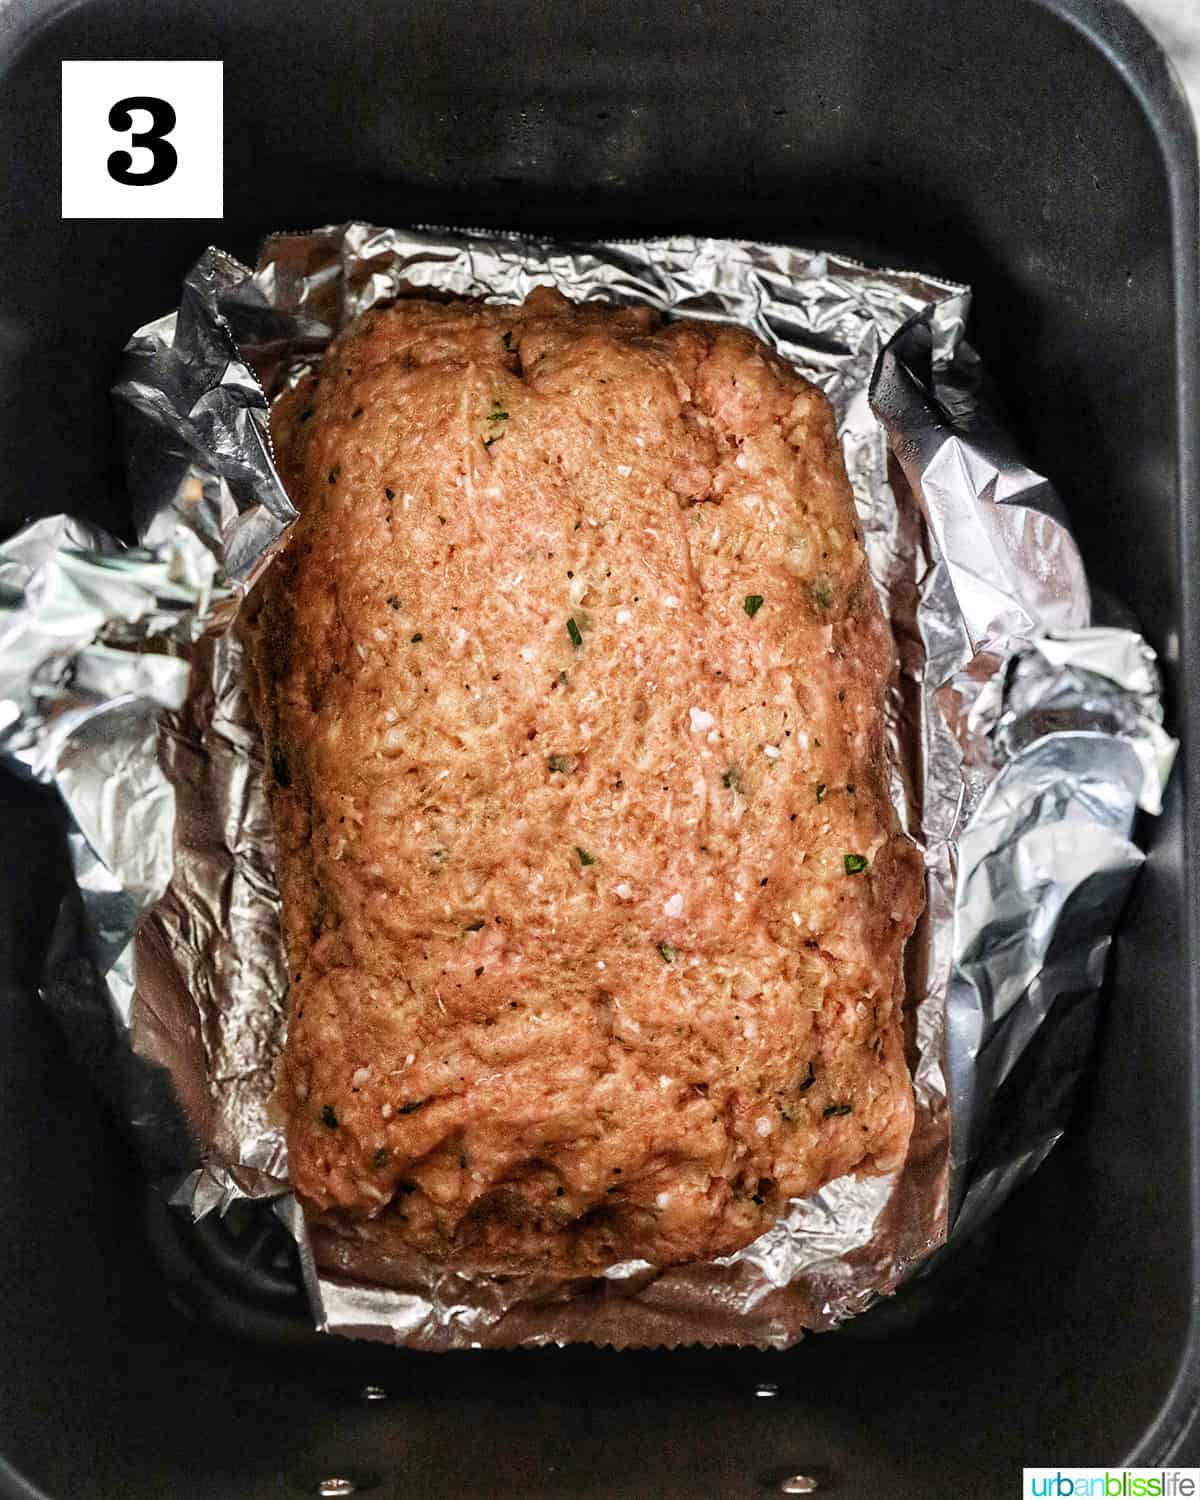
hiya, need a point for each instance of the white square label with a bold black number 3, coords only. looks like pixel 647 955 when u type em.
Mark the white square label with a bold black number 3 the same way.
pixel 142 142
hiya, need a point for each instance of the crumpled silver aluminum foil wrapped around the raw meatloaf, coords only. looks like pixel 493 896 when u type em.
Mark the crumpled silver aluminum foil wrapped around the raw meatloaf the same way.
pixel 1024 745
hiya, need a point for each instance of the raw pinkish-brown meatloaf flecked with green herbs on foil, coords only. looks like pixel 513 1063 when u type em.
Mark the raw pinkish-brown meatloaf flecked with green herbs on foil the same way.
pixel 572 685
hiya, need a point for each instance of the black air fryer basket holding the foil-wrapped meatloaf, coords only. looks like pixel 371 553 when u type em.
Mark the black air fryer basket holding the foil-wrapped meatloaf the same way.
pixel 1037 149
